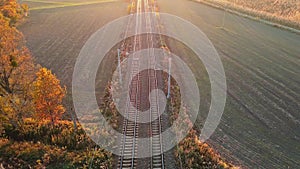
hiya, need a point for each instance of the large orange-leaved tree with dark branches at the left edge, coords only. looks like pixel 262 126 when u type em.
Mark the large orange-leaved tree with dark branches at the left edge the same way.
pixel 16 76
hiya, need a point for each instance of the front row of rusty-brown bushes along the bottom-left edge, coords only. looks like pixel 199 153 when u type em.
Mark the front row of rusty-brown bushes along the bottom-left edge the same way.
pixel 37 155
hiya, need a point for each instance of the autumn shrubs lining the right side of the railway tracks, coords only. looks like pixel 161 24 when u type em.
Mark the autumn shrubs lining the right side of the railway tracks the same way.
pixel 191 152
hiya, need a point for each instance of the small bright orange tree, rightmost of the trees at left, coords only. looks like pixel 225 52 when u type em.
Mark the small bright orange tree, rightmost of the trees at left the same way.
pixel 48 95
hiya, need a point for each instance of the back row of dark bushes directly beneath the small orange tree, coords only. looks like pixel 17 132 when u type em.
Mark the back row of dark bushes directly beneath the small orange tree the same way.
pixel 62 134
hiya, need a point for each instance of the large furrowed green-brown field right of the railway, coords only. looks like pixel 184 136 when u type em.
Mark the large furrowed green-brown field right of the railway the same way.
pixel 260 127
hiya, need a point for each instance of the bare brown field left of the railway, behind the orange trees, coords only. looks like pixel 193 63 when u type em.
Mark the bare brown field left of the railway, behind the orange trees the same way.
pixel 55 36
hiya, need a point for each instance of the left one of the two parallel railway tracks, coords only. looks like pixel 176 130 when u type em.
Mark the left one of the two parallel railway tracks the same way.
pixel 130 130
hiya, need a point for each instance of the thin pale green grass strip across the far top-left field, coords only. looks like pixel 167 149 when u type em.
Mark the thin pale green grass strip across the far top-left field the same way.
pixel 68 4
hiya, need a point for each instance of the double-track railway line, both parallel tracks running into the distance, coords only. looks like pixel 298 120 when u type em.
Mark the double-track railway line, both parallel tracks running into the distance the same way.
pixel 129 142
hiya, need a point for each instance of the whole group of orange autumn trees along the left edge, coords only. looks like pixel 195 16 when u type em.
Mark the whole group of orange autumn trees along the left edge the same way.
pixel 26 89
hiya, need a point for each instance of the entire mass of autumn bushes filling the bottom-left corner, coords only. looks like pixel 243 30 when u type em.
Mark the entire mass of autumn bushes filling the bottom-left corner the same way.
pixel 41 145
